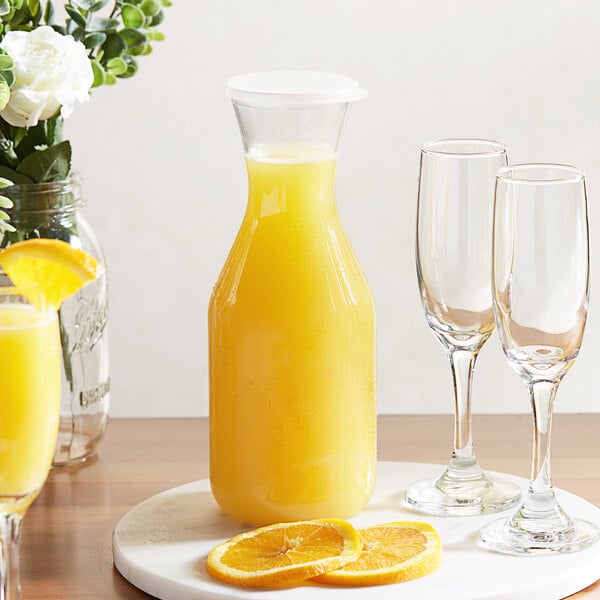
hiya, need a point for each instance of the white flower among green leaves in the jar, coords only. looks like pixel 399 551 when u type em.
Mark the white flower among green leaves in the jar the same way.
pixel 52 71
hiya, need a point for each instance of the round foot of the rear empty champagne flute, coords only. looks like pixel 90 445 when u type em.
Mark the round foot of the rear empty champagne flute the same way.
pixel 462 496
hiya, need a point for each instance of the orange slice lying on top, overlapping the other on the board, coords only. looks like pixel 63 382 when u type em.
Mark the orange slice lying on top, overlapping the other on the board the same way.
pixel 284 553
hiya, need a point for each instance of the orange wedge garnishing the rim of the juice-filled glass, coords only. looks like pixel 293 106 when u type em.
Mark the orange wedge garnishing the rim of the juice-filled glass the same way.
pixel 57 269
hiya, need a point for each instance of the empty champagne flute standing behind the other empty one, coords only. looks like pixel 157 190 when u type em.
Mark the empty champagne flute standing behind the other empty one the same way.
pixel 454 232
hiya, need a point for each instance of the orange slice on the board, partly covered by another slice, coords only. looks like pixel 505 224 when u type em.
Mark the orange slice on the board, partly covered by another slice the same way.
pixel 392 552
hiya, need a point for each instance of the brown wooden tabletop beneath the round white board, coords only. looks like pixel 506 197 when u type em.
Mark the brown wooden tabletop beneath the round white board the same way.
pixel 66 544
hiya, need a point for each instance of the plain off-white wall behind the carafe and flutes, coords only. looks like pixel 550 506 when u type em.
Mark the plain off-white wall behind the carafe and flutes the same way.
pixel 166 187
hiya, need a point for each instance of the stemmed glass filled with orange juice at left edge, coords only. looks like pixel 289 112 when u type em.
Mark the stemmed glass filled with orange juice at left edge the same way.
pixel 30 376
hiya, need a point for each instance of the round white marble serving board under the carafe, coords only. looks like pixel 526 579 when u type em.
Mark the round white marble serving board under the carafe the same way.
pixel 161 545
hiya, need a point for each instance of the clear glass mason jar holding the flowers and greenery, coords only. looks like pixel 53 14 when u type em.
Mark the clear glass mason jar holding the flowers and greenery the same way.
pixel 52 210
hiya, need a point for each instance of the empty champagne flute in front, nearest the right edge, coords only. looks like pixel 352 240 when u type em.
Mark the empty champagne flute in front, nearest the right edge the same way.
pixel 540 287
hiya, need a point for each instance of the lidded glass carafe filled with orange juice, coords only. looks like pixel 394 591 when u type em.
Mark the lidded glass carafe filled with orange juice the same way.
pixel 291 318
